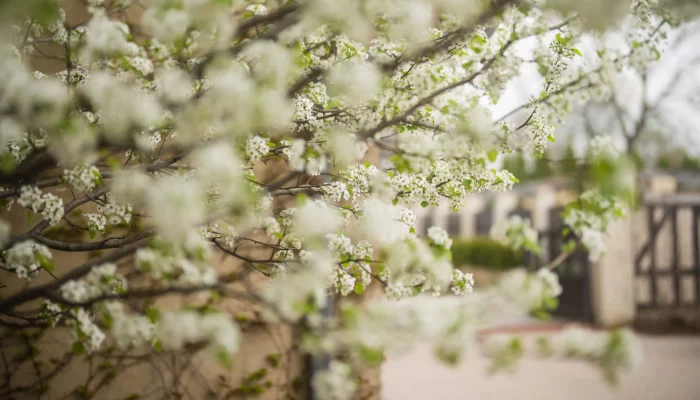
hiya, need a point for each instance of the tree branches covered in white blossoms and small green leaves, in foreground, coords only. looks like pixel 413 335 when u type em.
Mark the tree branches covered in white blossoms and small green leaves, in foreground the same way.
pixel 172 133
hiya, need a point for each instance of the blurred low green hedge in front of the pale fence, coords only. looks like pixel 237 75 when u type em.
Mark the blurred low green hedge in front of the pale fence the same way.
pixel 485 252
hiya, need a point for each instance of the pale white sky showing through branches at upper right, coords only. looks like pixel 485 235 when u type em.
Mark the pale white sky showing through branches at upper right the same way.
pixel 675 116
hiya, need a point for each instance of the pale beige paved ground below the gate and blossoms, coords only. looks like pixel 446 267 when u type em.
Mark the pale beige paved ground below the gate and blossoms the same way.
pixel 670 371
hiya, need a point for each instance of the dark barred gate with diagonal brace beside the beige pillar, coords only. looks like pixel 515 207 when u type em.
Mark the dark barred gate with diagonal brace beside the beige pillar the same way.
pixel 665 279
